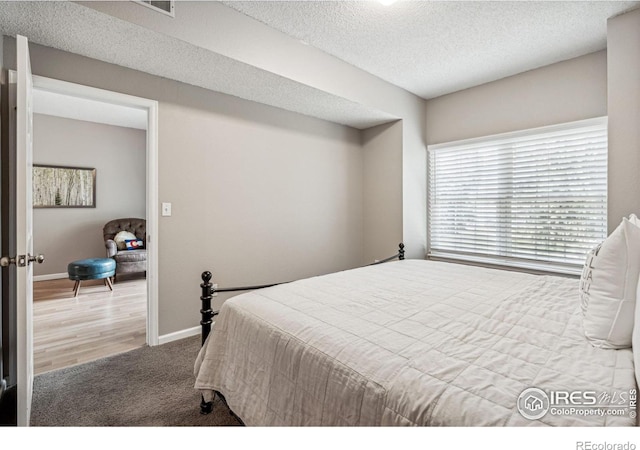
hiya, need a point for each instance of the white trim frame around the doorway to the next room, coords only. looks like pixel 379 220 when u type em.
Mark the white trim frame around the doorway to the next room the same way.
pixel 151 106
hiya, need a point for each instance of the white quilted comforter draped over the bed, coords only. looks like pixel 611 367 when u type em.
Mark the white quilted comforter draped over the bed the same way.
pixel 407 343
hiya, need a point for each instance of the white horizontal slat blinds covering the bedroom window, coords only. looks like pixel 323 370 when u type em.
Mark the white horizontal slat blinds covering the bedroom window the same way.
pixel 535 199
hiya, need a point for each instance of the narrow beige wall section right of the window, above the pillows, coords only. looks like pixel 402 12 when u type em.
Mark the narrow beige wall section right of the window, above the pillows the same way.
pixel 623 43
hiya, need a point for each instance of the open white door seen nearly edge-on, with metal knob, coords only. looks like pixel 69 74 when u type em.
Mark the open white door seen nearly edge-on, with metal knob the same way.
pixel 24 243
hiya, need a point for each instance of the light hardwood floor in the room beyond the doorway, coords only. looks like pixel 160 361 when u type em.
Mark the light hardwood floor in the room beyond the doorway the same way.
pixel 70 330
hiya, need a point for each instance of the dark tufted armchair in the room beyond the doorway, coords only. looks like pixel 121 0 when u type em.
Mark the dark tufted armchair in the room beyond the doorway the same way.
pixel 127 261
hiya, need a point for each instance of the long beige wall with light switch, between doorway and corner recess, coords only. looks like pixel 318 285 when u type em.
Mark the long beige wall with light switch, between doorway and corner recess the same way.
pixel 258 194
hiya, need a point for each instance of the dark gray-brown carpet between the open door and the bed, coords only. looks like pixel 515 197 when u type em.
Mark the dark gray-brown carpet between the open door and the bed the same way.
pixel 150 386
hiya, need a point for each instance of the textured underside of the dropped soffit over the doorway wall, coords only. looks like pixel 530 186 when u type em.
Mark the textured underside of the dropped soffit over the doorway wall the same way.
pixel 77 29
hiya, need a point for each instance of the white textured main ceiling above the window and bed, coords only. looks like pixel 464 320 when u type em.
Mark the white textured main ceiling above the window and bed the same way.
pixel 432 48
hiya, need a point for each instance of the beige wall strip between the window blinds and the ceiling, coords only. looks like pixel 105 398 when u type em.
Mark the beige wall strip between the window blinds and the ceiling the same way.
pixel 566 91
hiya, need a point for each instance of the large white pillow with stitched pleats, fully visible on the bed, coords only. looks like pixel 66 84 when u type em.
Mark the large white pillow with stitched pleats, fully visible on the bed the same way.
pixel 608 287
